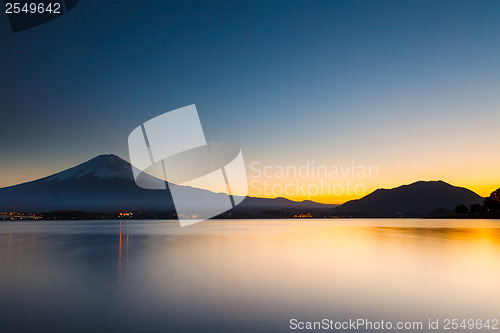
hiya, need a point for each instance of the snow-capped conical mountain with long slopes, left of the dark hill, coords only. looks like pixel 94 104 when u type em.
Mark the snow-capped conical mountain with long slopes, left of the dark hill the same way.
pixel 105 183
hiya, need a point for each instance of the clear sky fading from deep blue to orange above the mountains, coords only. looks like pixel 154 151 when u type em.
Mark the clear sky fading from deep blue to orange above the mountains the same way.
pixel 412 87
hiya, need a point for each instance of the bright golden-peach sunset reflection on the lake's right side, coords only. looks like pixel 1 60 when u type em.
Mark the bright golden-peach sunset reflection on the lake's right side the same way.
pixel 404 268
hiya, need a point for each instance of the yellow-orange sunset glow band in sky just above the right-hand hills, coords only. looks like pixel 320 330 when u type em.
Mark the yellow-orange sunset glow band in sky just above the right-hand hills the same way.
pixel 352 180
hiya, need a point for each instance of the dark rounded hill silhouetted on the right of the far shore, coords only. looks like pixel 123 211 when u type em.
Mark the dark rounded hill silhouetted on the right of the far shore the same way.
pixel 417 199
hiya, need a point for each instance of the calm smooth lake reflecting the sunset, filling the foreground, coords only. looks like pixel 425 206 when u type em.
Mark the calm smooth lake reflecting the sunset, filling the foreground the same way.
pixel 245 275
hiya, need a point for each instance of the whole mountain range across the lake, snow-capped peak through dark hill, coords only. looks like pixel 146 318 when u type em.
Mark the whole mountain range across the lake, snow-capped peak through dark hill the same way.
pixel 105 183
